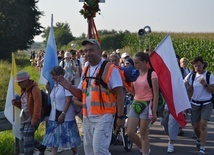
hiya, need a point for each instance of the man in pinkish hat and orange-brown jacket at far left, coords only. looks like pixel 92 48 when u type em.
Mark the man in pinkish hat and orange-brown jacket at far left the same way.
pixel 30 104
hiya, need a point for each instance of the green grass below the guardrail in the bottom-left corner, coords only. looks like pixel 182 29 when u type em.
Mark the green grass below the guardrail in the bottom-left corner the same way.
pixel 6 142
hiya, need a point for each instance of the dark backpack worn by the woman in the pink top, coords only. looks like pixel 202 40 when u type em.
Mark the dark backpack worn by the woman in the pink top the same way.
pixel 161 101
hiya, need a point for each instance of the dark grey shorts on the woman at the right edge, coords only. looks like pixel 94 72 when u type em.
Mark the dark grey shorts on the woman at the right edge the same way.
pixel 201 112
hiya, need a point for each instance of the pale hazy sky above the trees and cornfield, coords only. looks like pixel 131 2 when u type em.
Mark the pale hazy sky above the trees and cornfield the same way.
pixel 132 15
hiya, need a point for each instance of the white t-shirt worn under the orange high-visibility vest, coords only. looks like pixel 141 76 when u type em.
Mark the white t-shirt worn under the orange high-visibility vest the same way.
pixel 114 81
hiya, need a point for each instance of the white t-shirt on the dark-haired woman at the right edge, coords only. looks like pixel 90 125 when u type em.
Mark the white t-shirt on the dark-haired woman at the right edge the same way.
pixel 200 93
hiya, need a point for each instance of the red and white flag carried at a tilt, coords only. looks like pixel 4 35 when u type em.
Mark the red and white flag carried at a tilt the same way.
pixel 165 64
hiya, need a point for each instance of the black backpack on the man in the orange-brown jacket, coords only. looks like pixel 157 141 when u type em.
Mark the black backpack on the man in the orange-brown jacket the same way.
pixel 46 106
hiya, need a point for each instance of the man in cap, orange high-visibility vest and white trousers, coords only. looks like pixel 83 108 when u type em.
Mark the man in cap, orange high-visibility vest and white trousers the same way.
pixel 99 104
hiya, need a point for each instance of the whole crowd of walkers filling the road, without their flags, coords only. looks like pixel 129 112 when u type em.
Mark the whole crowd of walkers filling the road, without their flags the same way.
pixel 79 83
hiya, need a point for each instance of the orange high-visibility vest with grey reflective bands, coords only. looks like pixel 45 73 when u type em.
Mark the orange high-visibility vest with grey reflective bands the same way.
pixel 102 100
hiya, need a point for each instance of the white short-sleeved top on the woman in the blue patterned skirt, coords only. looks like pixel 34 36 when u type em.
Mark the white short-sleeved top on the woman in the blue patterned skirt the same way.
pixel 58 98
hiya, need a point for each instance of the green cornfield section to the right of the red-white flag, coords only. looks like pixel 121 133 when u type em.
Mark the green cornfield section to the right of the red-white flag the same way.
pixel 191 45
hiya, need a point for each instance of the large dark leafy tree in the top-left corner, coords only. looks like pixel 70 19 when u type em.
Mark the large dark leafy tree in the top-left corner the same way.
pixel 19 25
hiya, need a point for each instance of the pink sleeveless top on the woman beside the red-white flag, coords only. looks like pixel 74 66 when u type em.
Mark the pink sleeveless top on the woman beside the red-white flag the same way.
pixel 142 89
